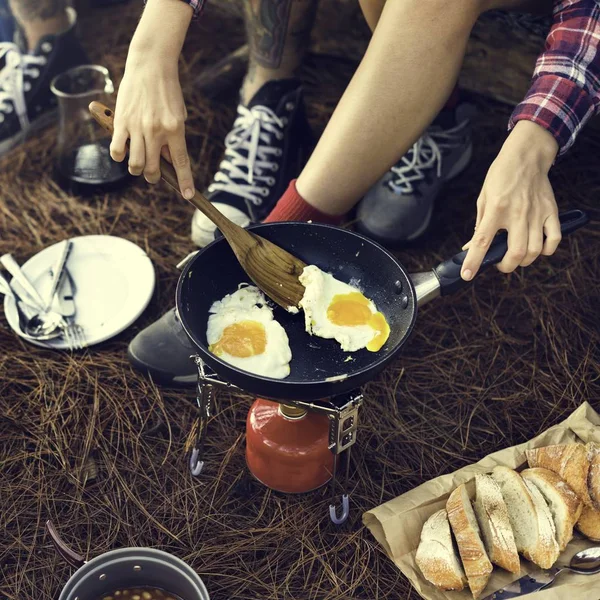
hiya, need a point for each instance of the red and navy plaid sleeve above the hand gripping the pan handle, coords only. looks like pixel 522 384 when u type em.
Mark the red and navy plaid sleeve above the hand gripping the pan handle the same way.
pixel 565 90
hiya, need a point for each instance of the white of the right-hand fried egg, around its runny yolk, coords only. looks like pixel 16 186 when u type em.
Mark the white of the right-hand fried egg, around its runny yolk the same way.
pixel 320 288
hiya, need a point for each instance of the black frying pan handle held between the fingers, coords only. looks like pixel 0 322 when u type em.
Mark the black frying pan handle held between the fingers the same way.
pixel 448 272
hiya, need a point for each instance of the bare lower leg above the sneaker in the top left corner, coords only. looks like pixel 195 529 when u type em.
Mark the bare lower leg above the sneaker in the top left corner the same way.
pixel 38 18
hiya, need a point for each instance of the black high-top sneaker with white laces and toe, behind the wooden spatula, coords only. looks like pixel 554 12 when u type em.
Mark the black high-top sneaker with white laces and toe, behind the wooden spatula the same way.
pixel 268 146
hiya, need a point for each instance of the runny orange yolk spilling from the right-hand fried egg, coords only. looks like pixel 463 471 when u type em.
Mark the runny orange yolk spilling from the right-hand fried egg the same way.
pixel 351 310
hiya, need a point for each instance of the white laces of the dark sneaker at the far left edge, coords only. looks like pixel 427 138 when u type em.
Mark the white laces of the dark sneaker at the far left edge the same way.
pixel 13 83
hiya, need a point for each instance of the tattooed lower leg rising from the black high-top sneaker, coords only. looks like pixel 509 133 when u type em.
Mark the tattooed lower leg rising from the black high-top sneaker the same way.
pixel 278 35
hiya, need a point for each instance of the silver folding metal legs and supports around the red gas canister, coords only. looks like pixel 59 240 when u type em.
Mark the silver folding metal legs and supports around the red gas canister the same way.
pixel 341 411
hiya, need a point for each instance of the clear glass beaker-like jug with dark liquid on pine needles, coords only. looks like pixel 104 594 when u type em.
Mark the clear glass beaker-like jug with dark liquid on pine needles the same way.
pixel 83 163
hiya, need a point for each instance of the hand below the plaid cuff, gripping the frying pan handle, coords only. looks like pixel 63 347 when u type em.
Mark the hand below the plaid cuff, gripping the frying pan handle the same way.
pixel 517 196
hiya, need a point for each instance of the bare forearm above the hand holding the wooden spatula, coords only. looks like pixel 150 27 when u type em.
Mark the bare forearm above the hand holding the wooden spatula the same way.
pixel 160 32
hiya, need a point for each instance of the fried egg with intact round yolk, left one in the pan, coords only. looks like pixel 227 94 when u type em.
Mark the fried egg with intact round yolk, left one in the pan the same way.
pixel 242 331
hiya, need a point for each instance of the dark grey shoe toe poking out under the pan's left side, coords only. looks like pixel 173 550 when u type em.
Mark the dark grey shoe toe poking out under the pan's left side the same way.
pixel 163 351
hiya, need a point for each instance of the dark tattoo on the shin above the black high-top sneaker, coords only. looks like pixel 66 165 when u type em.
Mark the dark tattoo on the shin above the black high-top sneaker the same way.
pixel 267 23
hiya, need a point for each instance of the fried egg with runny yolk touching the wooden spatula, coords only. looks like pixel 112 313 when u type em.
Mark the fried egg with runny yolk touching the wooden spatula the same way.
pixel 336 310
